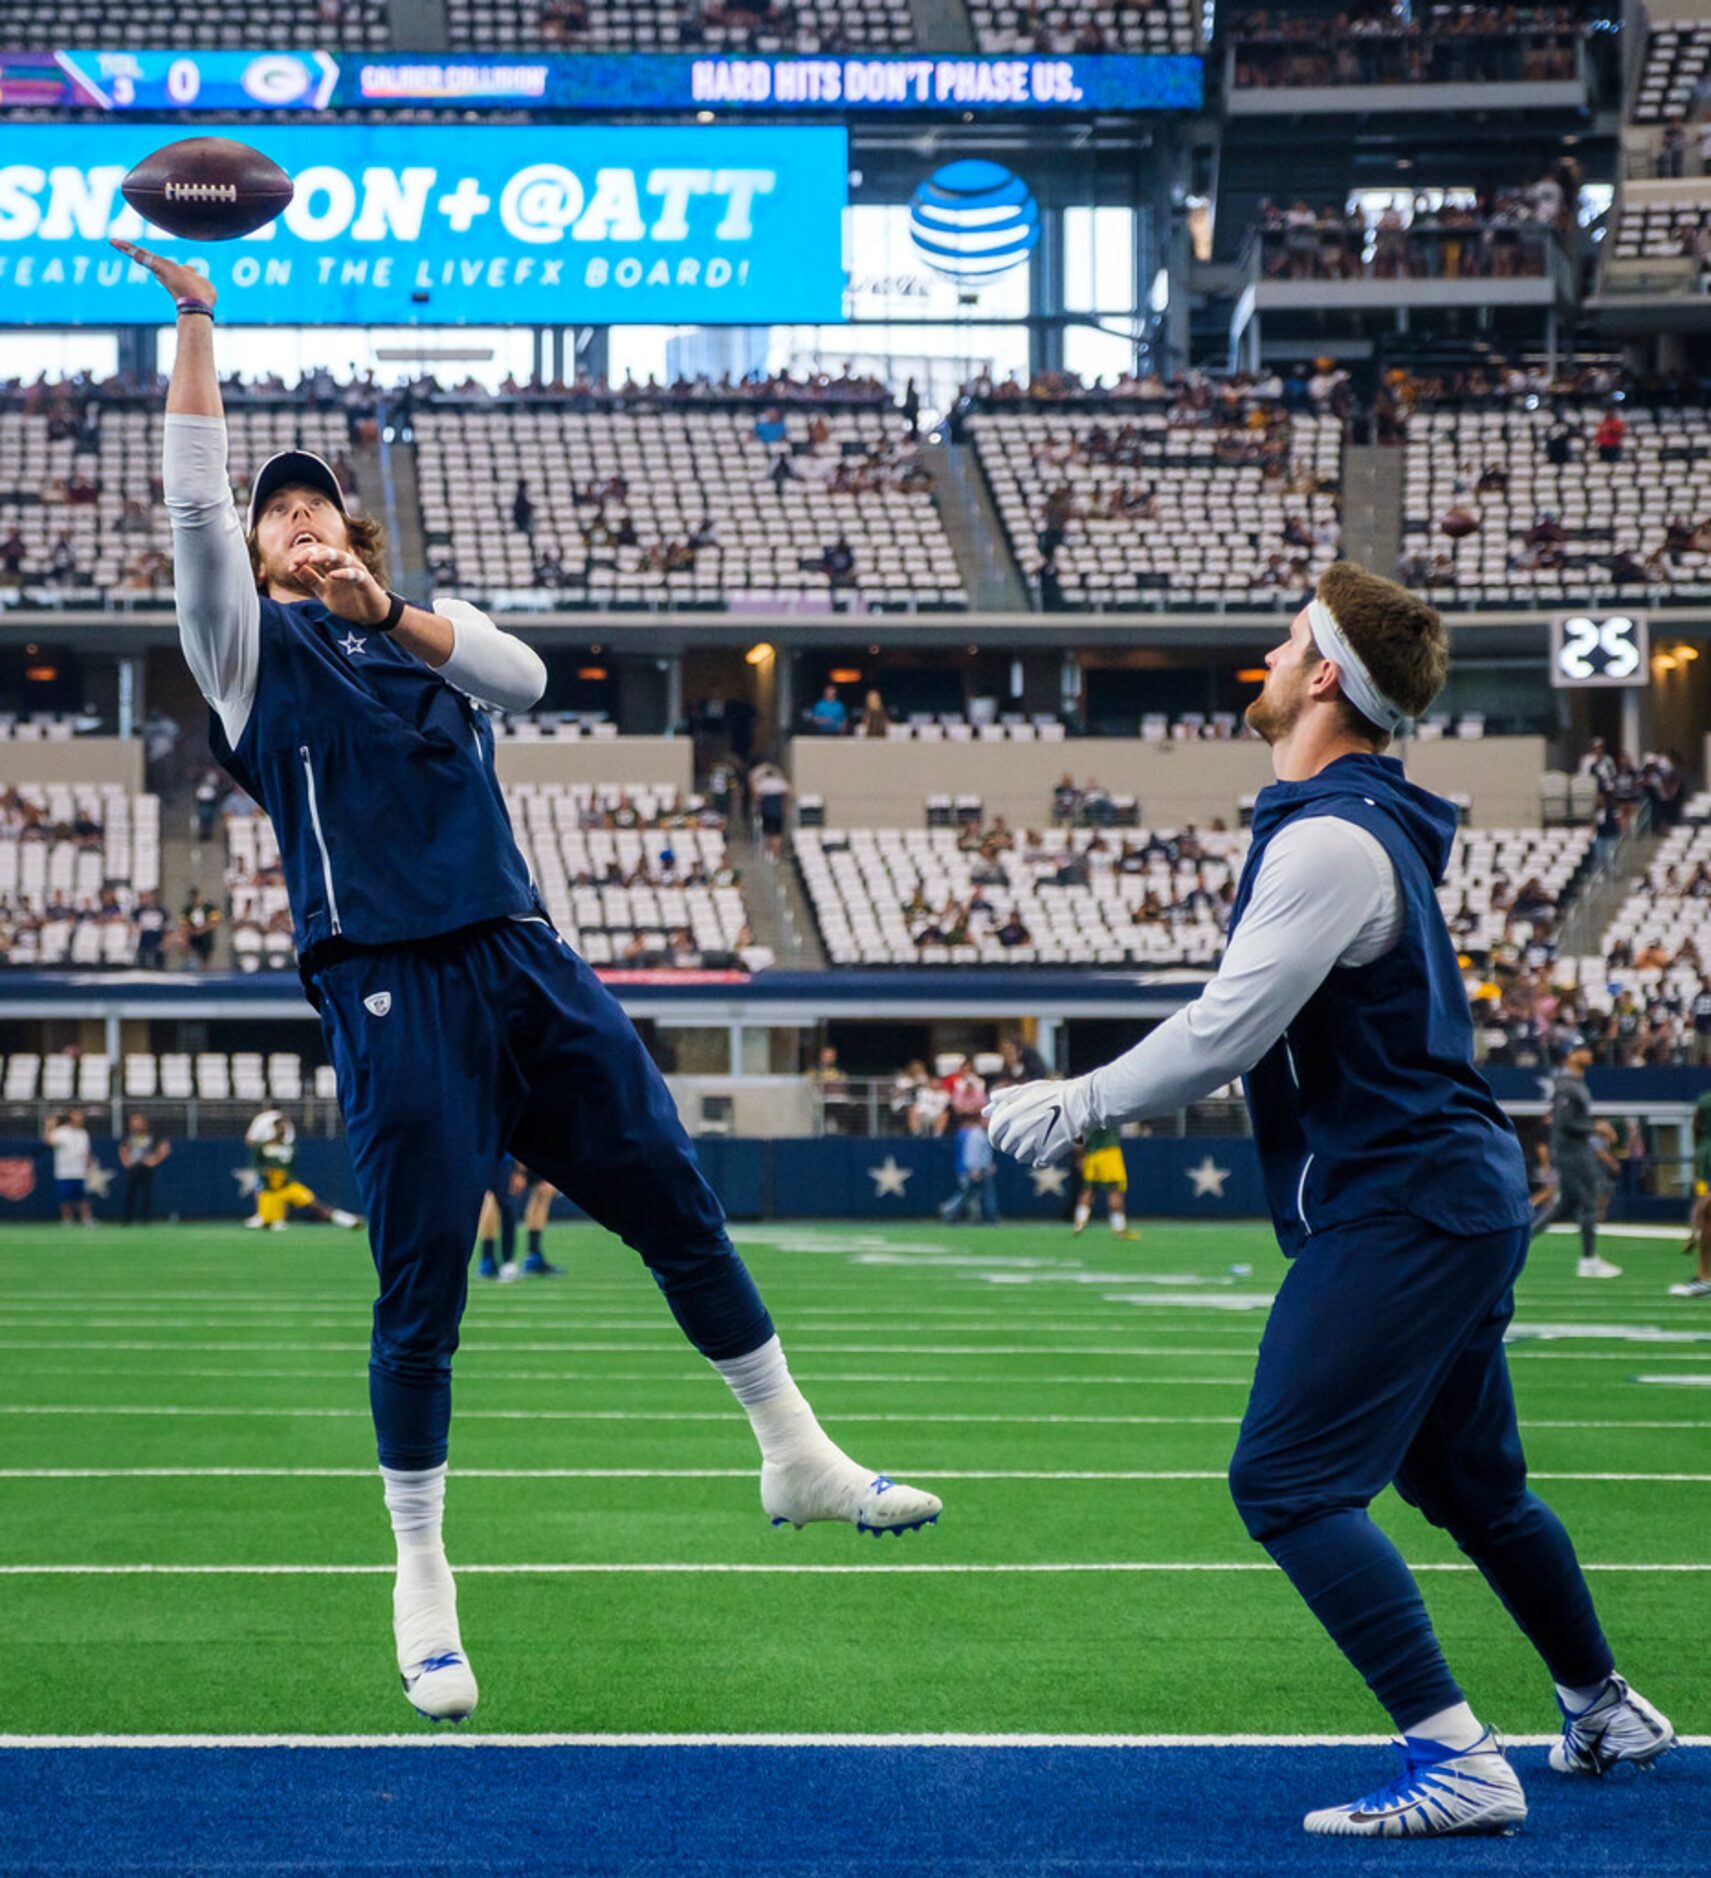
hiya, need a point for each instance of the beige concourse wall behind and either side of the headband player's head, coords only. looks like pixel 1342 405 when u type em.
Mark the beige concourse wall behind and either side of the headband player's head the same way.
pixel 878 784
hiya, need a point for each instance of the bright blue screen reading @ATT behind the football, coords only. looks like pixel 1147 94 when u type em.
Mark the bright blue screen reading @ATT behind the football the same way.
pixel 450 226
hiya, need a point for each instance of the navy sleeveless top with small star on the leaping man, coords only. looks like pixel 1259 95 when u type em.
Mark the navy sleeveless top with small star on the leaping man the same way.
pixel 380 782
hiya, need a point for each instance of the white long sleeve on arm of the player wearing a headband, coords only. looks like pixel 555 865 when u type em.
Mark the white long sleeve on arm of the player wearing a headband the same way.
pixel 1325 897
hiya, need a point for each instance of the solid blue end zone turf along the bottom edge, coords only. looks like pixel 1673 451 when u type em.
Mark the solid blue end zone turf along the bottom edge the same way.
pixel 741 1811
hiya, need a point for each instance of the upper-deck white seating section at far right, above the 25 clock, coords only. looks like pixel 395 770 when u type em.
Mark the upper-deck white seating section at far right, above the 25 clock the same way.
pixel 1601 508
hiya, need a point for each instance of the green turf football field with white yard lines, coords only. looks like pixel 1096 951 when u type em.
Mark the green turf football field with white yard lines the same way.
pixel 193 1535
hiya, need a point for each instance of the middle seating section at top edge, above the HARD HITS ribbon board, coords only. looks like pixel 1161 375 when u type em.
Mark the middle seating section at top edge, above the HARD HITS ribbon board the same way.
pixel 694 27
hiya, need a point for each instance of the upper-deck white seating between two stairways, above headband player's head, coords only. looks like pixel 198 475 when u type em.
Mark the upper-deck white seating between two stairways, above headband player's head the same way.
pixel 1214 532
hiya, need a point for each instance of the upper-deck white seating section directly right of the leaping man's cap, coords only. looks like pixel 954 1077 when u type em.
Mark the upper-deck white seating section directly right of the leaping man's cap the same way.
pixel 679 470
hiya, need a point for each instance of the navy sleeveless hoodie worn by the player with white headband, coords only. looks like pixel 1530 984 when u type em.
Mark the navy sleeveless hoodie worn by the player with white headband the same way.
pixel 1370 1103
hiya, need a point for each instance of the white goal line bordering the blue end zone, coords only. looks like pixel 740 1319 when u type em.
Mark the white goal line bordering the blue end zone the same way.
pixel 452 1742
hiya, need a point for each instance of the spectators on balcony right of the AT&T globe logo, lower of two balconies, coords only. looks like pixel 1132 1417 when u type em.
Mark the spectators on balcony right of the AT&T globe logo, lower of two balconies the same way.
pixel 1488 238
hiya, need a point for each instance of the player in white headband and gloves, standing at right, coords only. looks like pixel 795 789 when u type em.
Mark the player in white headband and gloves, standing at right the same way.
pixel 1400 1195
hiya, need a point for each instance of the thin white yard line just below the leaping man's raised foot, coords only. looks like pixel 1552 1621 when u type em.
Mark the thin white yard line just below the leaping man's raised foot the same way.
pixel 698 1569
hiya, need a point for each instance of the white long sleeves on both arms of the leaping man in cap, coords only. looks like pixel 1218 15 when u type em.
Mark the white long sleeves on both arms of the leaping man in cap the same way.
pixel 221 611
